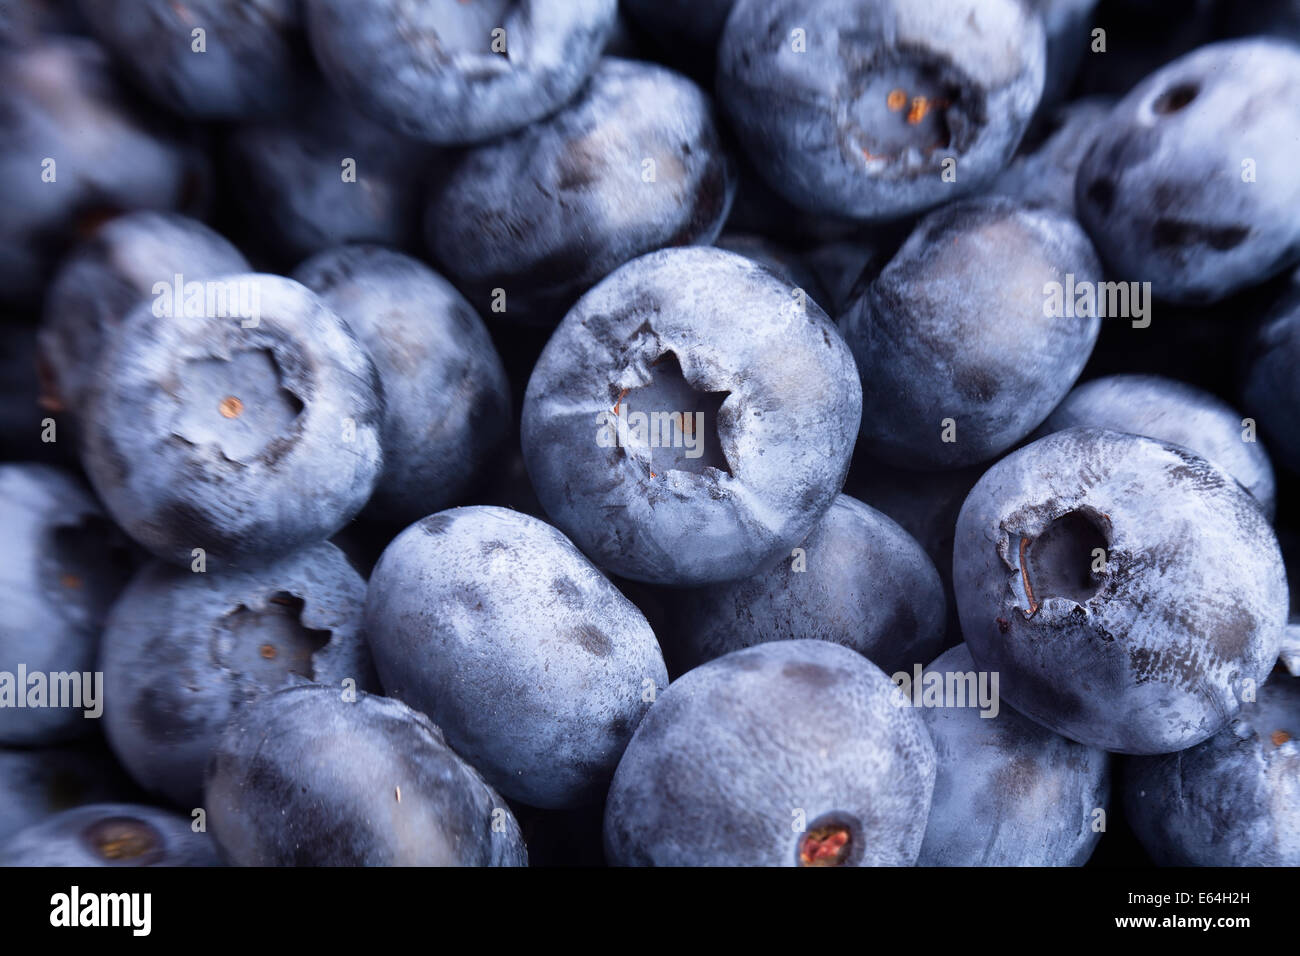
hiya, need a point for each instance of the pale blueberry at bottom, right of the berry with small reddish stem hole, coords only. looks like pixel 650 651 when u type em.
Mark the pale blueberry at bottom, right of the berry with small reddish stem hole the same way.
pixel 1009 793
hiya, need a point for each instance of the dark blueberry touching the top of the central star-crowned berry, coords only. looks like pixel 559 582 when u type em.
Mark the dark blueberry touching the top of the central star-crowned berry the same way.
pixel 547 214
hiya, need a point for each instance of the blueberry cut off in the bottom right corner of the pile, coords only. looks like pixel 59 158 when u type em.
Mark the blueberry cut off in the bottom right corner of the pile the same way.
pixel 1233 801
